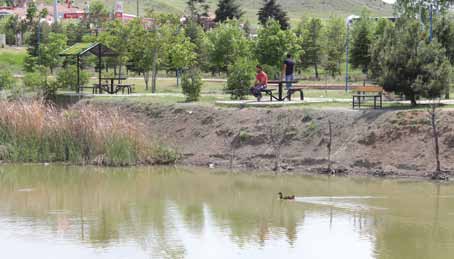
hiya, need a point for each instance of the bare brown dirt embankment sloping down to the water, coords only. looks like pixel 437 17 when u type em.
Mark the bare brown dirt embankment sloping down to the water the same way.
pixel 395 143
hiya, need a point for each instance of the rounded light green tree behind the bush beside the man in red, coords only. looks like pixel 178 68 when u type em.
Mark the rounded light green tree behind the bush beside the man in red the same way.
pixel 227 43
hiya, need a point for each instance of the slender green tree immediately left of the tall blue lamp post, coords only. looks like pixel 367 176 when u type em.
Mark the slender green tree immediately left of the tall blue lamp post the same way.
pixel 334 45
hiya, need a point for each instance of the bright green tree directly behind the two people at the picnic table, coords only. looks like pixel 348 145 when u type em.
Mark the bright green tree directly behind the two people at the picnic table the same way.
pixel 273 43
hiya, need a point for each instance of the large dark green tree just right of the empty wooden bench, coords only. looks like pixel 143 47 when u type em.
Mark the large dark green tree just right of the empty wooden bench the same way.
pixel 410 65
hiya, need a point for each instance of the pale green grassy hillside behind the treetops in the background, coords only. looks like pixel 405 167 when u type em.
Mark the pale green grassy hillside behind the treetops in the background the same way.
pixel 295 8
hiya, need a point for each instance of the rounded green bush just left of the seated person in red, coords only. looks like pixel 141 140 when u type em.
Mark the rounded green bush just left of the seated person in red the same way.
pixel 240 78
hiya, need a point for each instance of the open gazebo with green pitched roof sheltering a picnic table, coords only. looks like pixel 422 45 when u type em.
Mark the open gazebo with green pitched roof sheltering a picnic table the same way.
pixel 80 49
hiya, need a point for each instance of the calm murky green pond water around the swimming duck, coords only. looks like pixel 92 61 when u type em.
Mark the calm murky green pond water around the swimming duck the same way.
pixel 73 212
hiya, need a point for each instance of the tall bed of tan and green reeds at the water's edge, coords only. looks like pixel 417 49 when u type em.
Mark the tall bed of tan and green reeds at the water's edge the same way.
pixel 35 132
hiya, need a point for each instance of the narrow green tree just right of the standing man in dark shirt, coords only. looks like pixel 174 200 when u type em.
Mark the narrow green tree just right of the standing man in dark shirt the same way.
pixel 312 44
